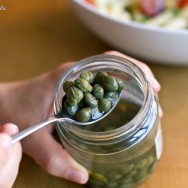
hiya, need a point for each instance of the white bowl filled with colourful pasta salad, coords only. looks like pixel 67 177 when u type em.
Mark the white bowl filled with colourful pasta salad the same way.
pixel 155 31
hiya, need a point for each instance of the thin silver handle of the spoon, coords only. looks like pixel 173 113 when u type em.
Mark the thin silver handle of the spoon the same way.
pixel 33 128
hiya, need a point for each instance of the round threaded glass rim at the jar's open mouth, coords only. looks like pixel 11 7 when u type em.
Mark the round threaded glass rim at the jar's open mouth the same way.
pixel 125 130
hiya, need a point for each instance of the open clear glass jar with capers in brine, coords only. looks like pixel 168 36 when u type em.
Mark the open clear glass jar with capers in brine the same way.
pixel 122 149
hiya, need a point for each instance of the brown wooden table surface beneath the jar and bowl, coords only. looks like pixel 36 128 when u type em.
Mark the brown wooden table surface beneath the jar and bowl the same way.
pixel 36 36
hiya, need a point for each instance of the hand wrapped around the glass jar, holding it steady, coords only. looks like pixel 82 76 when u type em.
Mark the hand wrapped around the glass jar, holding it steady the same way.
pixel 32 101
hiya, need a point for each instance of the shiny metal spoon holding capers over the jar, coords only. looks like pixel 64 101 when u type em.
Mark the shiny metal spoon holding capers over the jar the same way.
pixel 60 117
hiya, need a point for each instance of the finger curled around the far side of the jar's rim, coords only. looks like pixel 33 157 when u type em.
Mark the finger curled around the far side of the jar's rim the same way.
pixel 154 83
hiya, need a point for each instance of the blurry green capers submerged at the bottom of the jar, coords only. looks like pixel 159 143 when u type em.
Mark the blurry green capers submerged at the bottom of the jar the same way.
pixel 124 175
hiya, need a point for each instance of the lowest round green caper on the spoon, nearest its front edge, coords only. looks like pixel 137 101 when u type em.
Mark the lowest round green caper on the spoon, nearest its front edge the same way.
pixel 84 114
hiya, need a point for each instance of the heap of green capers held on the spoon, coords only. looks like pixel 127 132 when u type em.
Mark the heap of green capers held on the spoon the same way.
pixel 91 93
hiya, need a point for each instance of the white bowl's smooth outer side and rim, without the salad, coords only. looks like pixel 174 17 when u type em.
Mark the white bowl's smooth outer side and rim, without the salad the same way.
pixel 157 45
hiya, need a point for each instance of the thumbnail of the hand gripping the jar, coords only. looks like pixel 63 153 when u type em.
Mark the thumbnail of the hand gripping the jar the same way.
pixel 76 176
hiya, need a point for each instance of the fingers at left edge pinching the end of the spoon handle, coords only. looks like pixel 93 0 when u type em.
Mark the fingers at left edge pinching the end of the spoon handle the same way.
pixel 10 156
